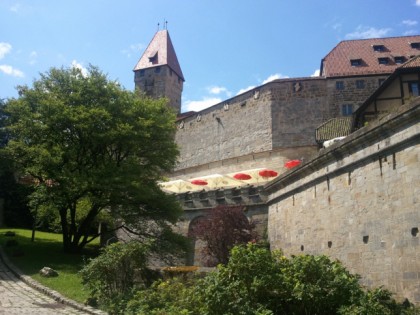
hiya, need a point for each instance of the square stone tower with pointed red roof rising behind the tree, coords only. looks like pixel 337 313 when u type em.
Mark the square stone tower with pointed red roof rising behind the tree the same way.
pixel 158 73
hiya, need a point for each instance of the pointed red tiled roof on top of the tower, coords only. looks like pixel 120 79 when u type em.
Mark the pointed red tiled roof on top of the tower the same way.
pixel 160 52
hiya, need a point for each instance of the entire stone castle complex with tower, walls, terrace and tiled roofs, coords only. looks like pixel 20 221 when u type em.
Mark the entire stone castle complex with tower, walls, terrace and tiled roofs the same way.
pixel 356 200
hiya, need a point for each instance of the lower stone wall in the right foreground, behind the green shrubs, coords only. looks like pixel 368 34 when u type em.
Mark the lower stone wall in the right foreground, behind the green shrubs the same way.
pixel 358 202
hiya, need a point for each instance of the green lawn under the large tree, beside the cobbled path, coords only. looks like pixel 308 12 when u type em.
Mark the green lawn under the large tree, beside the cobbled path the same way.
pixel 47 251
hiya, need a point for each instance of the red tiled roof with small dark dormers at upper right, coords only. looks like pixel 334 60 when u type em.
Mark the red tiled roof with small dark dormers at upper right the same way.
pixel 338 61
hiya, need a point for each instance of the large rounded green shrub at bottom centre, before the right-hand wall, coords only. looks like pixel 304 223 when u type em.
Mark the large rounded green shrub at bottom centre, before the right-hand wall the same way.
pixel 257 281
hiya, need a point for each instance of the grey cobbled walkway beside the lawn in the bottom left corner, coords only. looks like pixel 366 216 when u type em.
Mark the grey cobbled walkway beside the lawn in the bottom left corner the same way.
pixel 20 294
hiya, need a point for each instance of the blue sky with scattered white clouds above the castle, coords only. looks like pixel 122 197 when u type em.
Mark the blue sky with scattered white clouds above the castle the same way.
pixel 223 47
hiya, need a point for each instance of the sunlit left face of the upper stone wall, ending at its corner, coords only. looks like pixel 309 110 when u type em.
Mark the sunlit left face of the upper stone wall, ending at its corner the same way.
pixel 237 127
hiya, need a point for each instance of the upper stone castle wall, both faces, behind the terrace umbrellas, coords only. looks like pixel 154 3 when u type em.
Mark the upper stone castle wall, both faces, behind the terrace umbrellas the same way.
pixel 263 127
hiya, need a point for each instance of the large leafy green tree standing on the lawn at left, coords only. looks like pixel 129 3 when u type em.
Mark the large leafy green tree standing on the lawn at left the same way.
pixel 90 147
